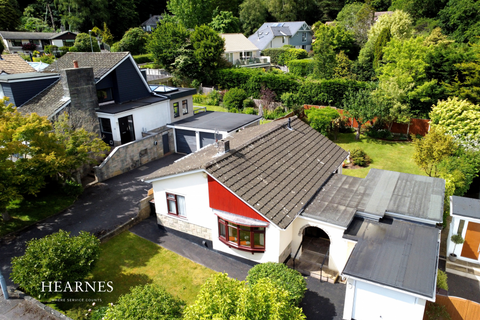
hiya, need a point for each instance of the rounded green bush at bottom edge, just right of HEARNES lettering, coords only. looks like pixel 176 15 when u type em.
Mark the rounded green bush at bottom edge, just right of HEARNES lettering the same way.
pixel 146 302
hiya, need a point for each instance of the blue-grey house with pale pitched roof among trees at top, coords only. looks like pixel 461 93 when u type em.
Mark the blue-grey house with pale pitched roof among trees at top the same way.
pixel 277 34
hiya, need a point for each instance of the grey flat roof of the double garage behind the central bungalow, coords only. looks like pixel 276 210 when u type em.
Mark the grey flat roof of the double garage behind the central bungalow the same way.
pixel 221 121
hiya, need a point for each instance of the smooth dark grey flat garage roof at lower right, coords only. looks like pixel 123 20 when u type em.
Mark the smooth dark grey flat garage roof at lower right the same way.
pixel 395 253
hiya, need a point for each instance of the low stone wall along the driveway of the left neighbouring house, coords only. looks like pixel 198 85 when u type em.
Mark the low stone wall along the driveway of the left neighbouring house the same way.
pixel 133 155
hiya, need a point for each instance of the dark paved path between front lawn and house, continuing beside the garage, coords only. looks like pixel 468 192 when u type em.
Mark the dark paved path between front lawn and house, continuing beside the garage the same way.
pixel 323 301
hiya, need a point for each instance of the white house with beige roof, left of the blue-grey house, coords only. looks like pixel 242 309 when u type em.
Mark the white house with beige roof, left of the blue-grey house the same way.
pixel 242 52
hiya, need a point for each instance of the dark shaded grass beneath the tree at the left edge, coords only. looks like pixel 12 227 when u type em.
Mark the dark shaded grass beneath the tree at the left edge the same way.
pixel 32 209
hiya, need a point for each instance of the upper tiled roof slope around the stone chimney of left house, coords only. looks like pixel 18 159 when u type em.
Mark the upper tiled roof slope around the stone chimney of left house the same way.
pixel 101 62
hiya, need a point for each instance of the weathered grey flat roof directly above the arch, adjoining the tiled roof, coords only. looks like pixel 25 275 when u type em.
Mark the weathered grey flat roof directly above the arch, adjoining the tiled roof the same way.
pixel 337 201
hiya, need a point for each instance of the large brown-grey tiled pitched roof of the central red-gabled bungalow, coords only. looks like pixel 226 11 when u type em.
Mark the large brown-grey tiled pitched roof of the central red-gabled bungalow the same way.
pixel 274 169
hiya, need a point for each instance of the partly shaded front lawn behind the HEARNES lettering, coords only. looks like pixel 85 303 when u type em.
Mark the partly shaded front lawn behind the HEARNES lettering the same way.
pixel 128 260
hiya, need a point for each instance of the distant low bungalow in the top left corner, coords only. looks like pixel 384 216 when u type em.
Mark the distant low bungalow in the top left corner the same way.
pixel 15 41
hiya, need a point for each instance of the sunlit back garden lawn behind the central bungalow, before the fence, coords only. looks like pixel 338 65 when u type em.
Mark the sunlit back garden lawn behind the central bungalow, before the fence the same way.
pixel 386 155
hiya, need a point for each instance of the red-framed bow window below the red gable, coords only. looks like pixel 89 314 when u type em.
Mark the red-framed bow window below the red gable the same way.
pixel 241 237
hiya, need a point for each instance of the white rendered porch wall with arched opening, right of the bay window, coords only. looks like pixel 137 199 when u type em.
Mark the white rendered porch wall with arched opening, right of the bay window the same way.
pixel 339 247
